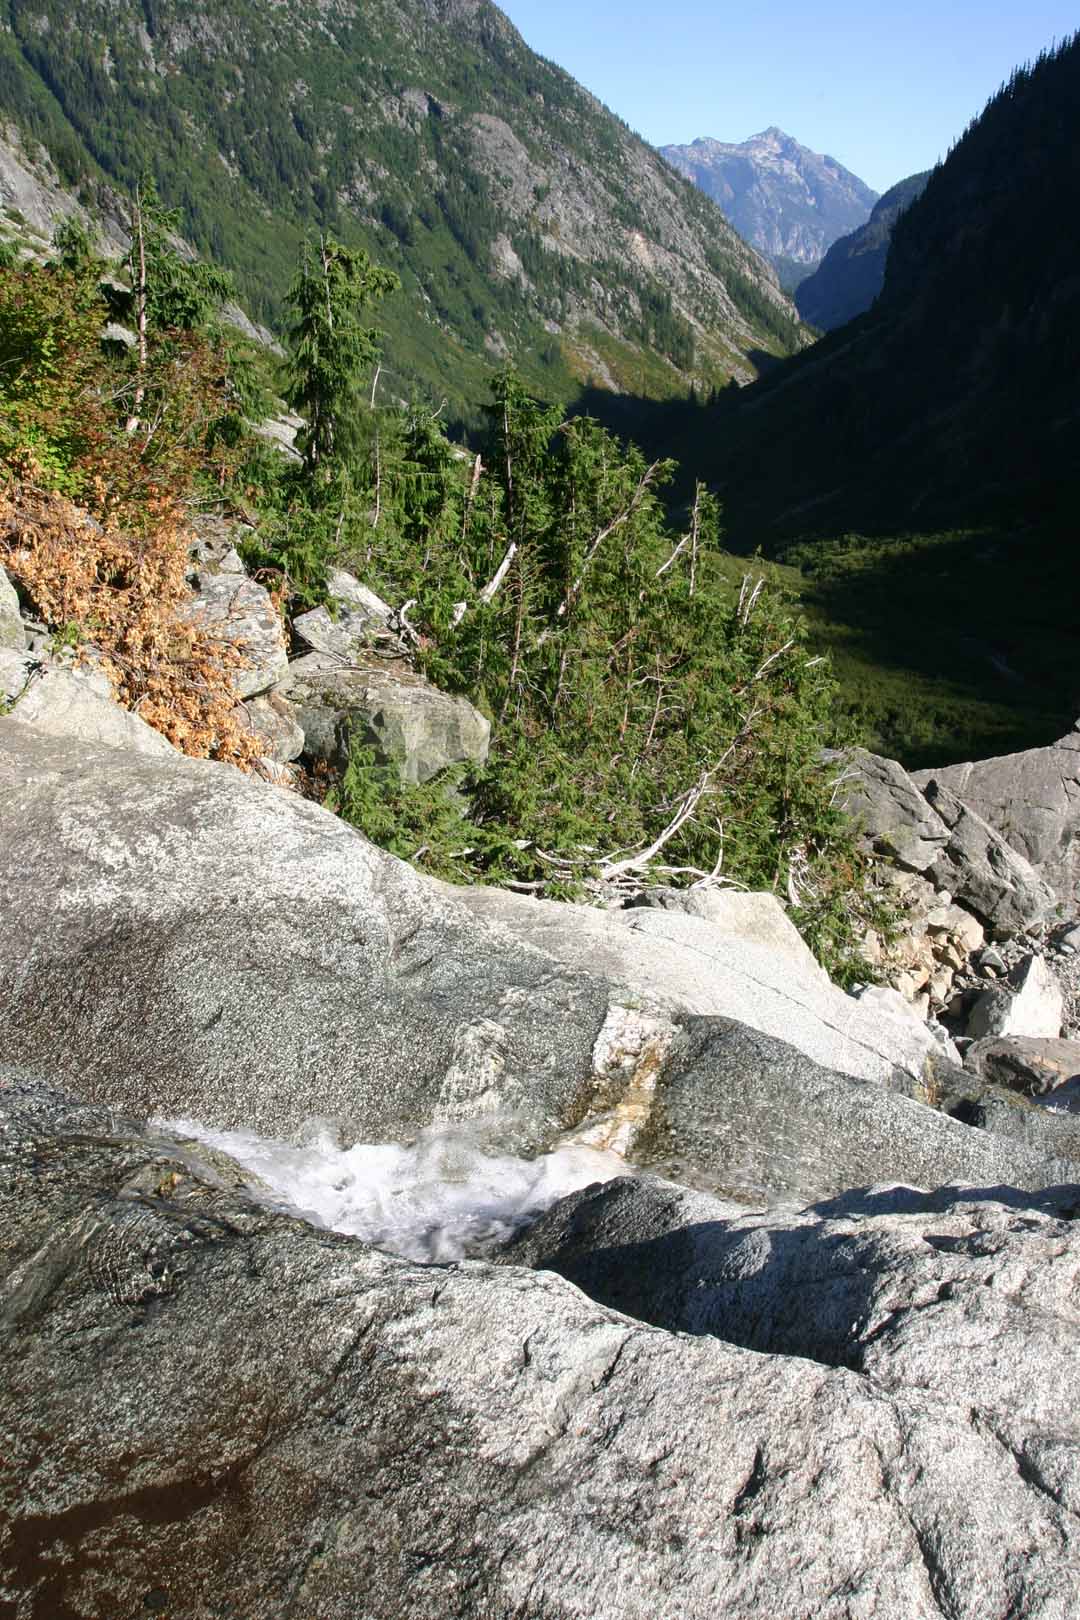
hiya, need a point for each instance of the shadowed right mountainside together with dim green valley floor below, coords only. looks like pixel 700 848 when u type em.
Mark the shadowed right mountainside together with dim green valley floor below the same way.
pixel 921 464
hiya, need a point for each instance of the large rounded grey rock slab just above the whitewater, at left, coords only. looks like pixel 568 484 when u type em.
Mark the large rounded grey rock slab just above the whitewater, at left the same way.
pixel 185 940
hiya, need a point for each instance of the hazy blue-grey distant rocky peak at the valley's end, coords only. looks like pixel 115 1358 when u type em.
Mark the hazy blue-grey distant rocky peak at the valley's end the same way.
pixel 788 202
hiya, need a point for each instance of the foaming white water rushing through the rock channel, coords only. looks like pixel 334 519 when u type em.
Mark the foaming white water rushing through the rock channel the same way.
pixel 444 1198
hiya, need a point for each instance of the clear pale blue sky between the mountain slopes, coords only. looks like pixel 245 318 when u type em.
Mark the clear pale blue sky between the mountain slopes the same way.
pixel 885 90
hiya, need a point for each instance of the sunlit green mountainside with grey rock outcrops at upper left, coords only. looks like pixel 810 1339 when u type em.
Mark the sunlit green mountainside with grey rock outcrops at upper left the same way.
pixel 522 218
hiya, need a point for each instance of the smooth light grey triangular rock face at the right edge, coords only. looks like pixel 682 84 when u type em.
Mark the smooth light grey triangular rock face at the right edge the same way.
pixel 1034 801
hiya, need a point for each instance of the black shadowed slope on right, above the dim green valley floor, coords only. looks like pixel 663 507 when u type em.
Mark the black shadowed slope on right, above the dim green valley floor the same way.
pixel 956 396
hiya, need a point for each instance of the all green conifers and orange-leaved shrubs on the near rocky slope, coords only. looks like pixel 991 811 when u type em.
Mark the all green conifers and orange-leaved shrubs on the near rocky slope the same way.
pixel 653 718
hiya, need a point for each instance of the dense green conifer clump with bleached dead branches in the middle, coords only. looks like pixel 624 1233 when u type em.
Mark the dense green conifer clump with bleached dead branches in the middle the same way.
pixel 652 720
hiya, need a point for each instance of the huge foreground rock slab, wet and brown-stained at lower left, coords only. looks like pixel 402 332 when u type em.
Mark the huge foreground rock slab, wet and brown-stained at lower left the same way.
pixel 265 1420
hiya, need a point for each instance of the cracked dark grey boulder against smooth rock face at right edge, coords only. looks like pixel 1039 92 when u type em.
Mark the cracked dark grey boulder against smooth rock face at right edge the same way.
pixel 982 871
